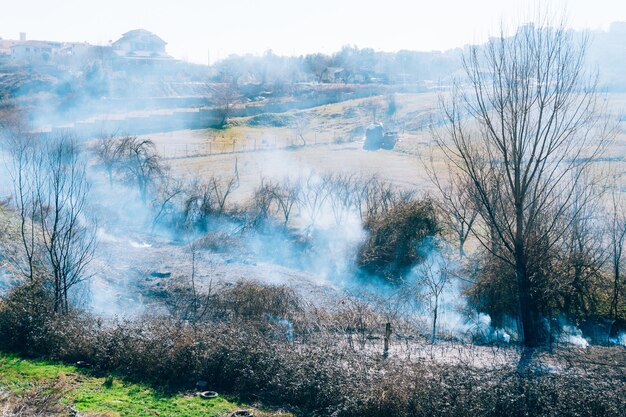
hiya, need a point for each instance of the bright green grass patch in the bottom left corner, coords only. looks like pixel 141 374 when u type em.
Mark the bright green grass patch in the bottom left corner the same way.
pixel 107 396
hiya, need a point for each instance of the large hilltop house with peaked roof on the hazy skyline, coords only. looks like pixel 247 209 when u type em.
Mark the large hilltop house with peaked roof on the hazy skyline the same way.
pixel 142 45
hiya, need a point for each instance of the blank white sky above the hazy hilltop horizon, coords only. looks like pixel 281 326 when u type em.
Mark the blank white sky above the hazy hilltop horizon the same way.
pixel 192 28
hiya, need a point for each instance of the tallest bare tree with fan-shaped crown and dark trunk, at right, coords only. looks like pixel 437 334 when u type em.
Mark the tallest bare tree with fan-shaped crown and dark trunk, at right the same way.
pixel 522 133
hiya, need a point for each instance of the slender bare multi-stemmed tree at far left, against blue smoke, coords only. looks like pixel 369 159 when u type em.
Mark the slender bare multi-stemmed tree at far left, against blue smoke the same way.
pixel 51 195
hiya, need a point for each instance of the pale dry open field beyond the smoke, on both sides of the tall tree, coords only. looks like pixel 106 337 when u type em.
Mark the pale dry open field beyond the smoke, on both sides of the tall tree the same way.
pixel 334 143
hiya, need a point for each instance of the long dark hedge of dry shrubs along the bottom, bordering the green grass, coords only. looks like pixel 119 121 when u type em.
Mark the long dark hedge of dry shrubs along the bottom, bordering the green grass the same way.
pixel 317 376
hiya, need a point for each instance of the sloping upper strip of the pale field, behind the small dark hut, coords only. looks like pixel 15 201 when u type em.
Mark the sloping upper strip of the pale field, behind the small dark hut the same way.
pixel 332 123
